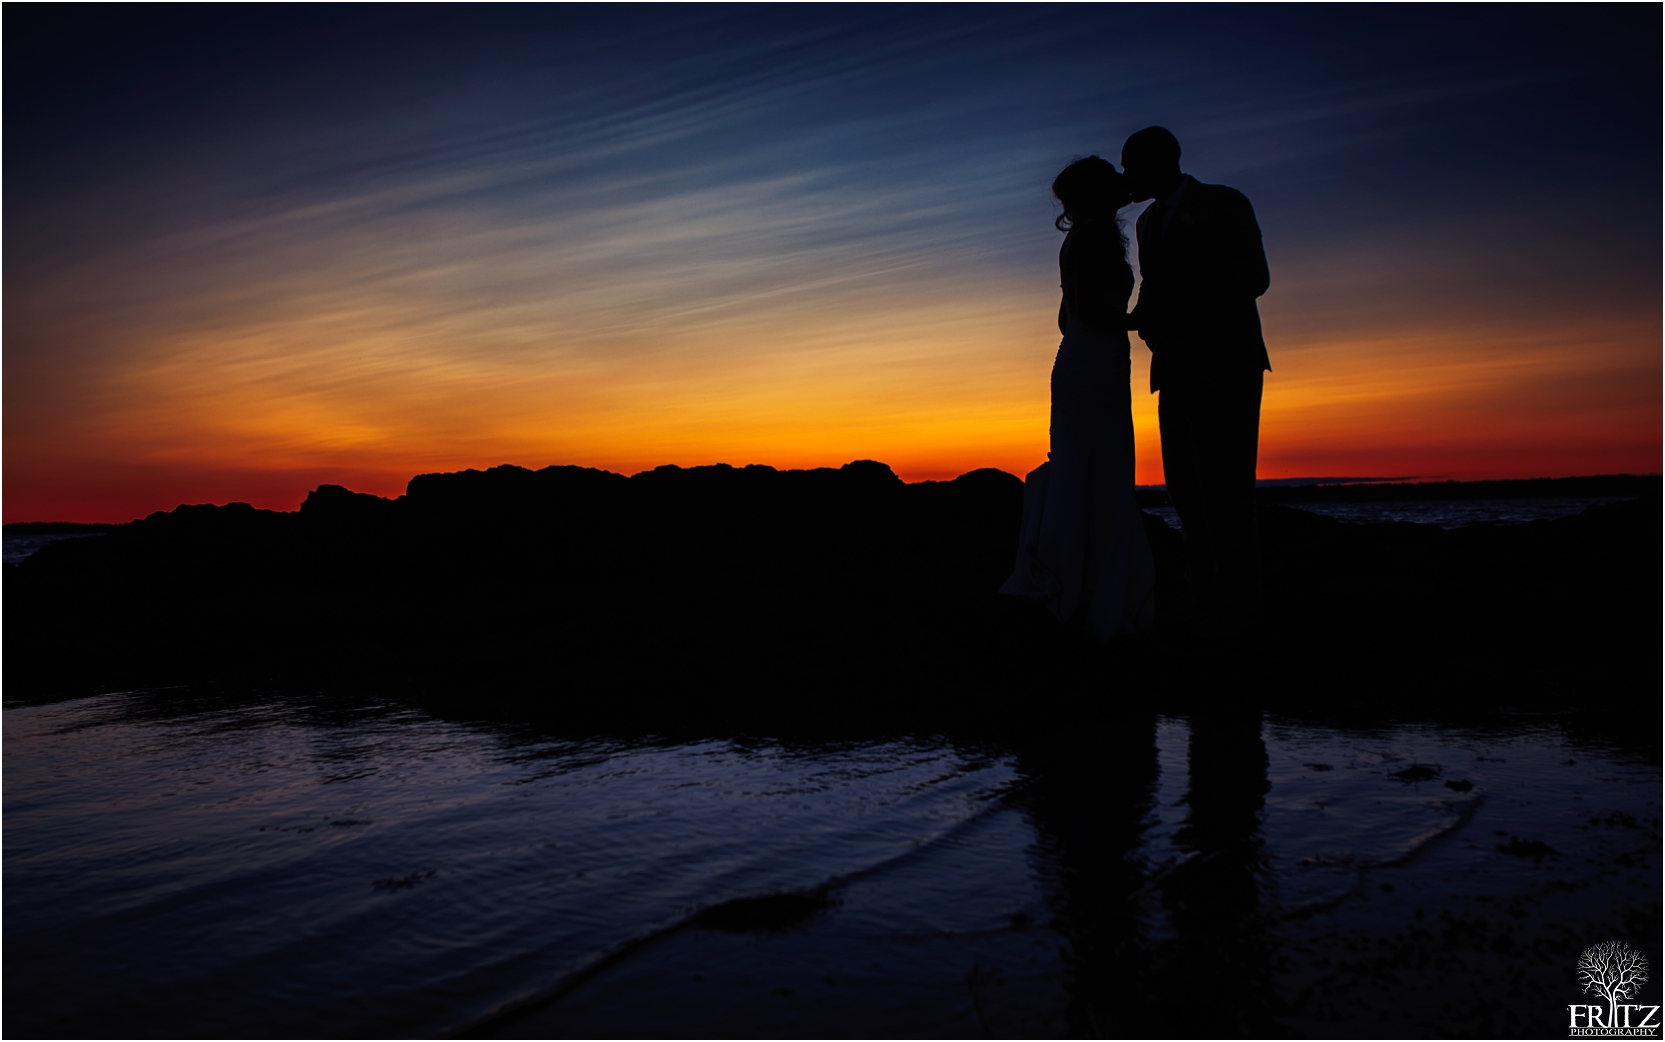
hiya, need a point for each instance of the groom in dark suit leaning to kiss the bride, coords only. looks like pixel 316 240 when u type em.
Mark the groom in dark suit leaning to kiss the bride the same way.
pixel 1201 269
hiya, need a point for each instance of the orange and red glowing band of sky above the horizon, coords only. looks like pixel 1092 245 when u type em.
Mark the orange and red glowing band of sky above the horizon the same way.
pixel 932 394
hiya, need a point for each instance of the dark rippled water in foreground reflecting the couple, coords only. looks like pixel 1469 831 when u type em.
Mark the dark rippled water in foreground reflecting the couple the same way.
pixel 299 865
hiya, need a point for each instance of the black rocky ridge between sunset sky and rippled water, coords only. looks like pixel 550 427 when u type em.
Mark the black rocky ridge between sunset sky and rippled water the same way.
pixel 692 590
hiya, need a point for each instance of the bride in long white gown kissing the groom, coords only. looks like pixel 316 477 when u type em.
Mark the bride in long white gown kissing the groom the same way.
pixel 1083 547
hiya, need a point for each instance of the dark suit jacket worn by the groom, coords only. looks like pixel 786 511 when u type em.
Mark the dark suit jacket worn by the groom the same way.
pixel 1201 267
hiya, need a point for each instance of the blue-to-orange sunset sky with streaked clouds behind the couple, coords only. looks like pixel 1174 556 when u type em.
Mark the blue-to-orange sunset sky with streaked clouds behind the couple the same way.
pixel 254 251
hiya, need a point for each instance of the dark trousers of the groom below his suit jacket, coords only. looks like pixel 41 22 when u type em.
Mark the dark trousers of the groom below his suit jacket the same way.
pixel 1211 435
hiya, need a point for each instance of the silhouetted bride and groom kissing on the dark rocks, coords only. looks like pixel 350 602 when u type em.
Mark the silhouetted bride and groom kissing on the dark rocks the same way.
pixel 1083 548
